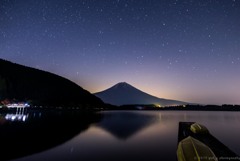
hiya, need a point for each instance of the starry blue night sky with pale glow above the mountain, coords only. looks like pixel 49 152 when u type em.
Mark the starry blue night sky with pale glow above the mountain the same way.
pixel 187 50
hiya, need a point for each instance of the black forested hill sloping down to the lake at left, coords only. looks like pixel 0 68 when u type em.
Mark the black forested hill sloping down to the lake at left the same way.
pixel 22 83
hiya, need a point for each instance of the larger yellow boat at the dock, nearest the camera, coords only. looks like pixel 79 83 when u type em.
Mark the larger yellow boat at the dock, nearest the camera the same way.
pixel 191 149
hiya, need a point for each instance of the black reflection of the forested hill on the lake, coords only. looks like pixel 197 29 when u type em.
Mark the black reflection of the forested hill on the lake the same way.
pixel 25 133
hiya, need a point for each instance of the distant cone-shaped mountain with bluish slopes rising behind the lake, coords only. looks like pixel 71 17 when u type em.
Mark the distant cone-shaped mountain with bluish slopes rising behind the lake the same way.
pixel 125 94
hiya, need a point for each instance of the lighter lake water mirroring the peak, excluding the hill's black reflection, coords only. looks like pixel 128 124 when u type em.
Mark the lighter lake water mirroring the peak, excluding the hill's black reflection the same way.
pixel 138 135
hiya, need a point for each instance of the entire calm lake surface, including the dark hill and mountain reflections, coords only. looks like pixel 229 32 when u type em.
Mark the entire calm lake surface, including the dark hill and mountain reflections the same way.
pixel 112 136
